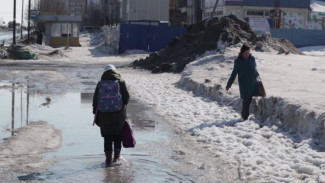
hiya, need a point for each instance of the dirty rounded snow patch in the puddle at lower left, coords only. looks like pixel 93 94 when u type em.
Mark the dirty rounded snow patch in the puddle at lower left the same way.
pixel 21 153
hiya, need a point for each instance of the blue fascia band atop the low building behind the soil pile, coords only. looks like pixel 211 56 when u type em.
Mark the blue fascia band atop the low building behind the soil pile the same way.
pixel 271 3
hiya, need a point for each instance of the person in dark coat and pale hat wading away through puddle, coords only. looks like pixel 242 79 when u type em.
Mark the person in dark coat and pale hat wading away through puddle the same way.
pixel 111 123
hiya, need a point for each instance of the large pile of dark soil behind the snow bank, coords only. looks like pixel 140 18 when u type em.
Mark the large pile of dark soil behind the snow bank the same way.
pixel 204 36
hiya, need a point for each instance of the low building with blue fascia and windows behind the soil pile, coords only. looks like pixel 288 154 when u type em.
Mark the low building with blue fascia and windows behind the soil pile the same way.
pixel 279 13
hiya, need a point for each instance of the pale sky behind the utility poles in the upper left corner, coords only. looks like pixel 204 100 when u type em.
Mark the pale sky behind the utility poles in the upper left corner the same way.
pixel 7 9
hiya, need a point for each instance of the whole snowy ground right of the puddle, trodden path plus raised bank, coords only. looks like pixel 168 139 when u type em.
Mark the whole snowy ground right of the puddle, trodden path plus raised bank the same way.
pixel 282 142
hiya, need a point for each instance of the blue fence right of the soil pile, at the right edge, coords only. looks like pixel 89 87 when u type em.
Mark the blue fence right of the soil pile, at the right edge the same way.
pixel 301 38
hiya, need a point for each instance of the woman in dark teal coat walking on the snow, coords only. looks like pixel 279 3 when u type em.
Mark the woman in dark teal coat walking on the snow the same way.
pixel 245 67
